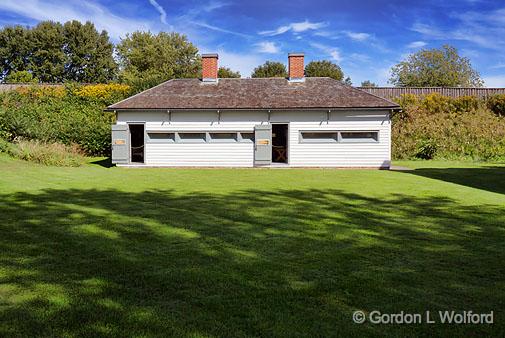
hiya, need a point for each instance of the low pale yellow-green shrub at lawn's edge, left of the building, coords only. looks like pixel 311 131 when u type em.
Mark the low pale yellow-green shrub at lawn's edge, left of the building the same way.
pixel 55 154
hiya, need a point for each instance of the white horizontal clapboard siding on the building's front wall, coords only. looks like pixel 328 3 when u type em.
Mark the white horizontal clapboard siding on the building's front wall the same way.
pixel 242 154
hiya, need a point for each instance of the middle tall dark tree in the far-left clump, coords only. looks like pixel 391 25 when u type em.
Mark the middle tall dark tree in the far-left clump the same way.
pixel 47 58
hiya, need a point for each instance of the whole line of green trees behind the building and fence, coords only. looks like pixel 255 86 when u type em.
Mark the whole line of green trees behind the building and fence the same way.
pixel 77 52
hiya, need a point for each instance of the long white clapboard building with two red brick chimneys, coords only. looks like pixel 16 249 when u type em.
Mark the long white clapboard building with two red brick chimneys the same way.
pixel 211 122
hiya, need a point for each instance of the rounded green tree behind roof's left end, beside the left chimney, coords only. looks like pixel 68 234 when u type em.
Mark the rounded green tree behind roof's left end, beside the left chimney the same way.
pixel 147 59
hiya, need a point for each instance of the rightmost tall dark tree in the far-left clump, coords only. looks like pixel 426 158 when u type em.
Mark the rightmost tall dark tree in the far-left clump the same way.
pixel 89 54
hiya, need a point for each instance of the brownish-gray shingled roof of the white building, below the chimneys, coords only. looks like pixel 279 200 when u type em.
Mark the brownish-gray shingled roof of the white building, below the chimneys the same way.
pixel 257 93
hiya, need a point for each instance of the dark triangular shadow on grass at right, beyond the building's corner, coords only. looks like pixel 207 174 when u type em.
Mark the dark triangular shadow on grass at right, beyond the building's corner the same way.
pixel 490 178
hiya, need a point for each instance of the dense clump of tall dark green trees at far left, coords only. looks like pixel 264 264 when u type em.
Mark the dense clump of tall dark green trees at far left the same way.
pixel 52 52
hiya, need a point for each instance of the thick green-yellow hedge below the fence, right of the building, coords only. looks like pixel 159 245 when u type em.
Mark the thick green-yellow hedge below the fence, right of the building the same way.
pixel 436 126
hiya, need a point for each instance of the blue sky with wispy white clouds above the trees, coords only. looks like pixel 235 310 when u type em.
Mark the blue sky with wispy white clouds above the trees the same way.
pixel 364 37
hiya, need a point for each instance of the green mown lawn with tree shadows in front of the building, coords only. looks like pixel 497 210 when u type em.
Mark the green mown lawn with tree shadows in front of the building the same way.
pixel 96 251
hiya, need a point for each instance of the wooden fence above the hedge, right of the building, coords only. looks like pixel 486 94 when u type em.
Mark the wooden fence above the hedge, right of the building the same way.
pixel 392 92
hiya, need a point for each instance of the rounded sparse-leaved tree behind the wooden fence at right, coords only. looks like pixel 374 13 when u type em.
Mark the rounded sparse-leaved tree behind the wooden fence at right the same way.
pixel 435 68
